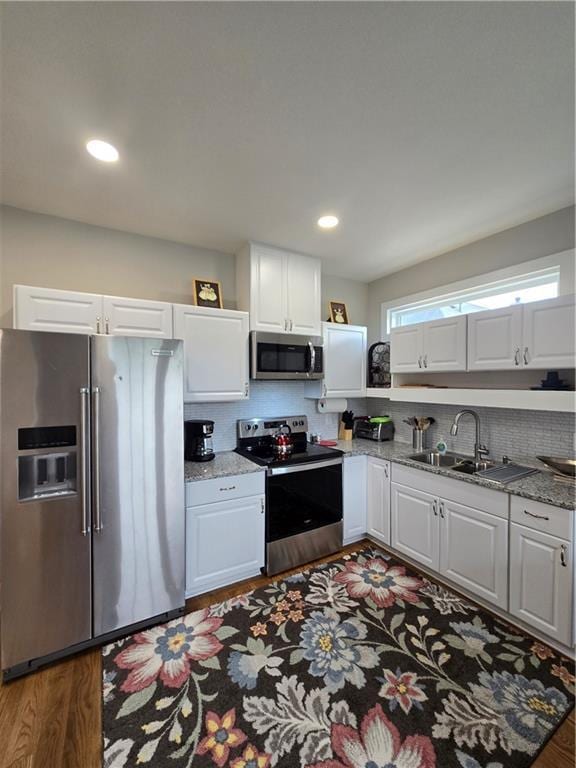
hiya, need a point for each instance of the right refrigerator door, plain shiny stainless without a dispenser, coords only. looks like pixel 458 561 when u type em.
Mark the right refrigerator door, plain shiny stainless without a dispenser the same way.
pixel 138 479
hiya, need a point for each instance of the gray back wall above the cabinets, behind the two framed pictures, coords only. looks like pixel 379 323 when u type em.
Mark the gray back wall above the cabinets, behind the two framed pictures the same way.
pixel 58 253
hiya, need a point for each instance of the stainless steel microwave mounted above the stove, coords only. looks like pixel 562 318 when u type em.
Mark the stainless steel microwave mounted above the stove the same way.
pixel 277 356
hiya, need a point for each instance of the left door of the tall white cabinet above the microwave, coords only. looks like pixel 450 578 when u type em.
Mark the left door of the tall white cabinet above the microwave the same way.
pixel 268 304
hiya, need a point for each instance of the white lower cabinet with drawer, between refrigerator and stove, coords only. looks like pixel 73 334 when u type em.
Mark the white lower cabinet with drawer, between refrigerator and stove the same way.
pixel 225 537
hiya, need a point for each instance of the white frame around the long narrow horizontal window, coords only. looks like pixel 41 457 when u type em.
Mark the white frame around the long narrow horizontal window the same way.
pixel 564 261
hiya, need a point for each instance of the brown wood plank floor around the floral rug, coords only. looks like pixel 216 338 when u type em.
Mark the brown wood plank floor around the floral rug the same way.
pixel 52 718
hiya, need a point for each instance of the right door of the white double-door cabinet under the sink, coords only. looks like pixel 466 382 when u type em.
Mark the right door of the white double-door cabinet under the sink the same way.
pixel 474 551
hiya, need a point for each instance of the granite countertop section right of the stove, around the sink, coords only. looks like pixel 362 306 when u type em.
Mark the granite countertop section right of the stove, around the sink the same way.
pixel 539 487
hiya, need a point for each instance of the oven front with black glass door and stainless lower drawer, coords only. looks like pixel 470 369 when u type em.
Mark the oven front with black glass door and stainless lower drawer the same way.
pixel 303 513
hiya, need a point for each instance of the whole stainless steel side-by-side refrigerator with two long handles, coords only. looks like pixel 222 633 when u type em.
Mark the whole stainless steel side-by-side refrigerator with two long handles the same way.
pixel 91 491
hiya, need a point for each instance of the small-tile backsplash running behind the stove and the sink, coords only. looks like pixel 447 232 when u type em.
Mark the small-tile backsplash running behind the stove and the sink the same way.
pixel 505 431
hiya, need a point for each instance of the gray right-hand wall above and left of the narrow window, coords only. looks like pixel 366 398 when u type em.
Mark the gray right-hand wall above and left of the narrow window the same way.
pixel 540 237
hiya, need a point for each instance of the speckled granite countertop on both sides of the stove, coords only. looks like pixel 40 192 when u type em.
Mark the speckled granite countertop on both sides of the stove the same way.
pixel 539 487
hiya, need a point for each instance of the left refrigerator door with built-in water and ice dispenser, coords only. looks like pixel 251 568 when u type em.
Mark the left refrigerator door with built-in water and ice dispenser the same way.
pixel 45 559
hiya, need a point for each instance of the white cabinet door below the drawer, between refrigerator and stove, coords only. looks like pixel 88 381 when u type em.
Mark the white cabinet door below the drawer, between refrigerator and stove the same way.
pixel 224 543
